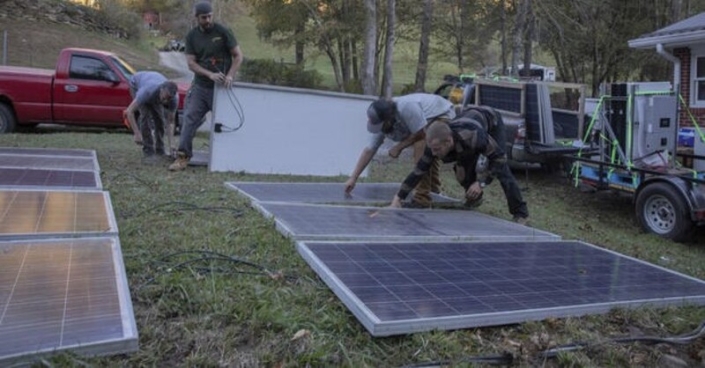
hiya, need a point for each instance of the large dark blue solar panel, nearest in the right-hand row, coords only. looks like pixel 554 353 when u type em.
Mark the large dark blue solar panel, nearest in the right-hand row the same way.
pixel 400 288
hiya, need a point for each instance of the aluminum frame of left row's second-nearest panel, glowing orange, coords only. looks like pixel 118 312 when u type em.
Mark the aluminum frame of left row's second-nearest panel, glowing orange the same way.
pixel 109 213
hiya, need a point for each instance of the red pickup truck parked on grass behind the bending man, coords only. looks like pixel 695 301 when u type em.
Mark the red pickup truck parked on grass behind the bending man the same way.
pixel 88 88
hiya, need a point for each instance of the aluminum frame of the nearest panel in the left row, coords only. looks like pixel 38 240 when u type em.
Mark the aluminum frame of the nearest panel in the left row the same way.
pixel 130 341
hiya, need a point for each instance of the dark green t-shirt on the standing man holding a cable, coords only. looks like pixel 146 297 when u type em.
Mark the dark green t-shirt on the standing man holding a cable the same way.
pixel 212 50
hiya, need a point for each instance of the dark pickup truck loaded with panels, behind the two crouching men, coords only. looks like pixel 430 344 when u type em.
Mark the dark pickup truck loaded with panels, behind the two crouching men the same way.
pixel 544 121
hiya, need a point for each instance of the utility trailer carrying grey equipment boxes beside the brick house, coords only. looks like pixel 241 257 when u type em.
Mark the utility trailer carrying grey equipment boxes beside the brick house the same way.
pixel 631 147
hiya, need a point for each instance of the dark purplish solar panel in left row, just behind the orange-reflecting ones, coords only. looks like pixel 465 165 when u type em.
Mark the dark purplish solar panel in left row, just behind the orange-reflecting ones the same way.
pixel 22 177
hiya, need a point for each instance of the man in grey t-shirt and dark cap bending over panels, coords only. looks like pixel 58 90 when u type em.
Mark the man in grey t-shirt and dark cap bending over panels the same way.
pixel 403 119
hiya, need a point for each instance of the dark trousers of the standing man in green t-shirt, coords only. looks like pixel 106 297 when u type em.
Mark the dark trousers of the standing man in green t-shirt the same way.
pixel 199 101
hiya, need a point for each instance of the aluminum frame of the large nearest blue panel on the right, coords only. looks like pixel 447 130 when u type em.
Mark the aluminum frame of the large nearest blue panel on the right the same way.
pixel 378 328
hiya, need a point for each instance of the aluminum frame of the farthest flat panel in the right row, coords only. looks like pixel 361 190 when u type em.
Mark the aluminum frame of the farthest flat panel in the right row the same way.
pixel 236 186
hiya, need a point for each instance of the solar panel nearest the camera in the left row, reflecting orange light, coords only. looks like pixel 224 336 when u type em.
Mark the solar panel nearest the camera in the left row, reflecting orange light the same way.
pixel 64 295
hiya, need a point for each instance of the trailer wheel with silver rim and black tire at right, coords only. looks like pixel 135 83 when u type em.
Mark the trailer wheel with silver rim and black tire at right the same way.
pixel 661 209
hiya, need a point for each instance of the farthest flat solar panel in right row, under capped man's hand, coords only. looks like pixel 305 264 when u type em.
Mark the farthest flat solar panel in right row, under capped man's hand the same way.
pixel 322 192
